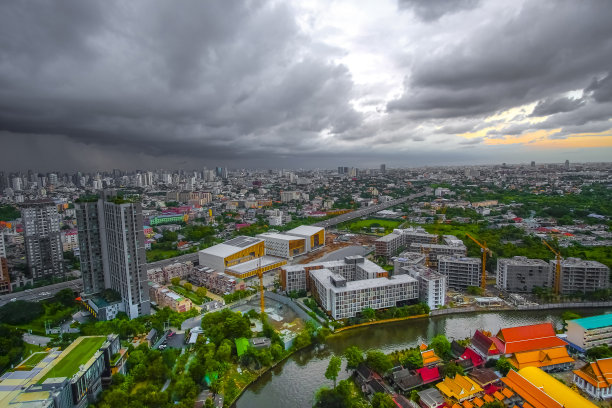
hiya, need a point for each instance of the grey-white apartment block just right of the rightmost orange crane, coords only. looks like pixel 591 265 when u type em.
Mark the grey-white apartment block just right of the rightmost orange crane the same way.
pixel 580 276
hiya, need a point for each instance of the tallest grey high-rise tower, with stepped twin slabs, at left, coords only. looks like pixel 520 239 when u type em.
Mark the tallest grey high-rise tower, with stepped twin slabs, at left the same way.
pixel 111 240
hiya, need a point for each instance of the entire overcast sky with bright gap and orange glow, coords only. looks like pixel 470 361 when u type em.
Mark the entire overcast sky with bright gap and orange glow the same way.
pixel 88 85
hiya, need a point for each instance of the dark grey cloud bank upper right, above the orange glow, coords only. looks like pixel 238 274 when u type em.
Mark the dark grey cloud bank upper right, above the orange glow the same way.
pixel 545 48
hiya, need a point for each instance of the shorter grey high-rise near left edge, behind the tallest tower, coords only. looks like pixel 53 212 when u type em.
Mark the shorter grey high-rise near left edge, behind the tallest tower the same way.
pixel 43 240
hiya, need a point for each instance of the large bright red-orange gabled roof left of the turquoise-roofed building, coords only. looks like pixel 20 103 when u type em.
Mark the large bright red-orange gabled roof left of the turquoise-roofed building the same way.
pixel 531 337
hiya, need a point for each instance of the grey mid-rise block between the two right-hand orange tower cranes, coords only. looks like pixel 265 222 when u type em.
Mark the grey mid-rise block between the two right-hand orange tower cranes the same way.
pixel 522 274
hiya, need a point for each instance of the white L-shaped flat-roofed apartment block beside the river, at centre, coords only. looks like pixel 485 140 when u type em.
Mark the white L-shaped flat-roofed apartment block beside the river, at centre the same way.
pixel 343 299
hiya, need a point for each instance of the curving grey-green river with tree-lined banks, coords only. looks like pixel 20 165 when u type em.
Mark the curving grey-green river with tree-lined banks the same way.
pixel 294 382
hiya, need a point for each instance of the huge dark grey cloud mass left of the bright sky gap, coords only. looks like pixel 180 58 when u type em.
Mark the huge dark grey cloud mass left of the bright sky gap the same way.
pixel 220 80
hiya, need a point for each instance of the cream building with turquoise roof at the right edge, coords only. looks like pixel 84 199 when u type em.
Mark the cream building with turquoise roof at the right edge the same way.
pixel 582 334
